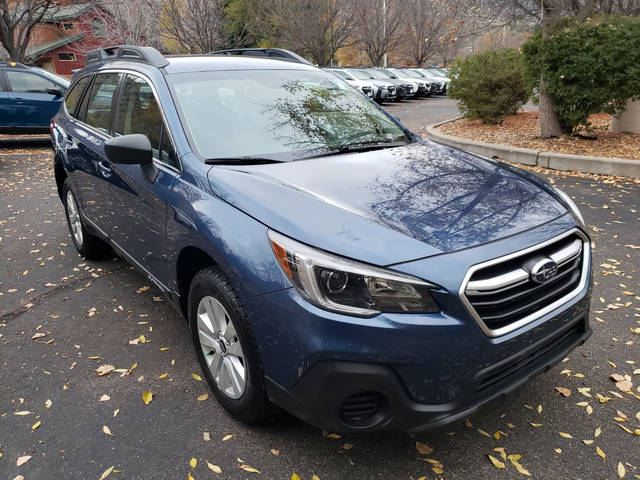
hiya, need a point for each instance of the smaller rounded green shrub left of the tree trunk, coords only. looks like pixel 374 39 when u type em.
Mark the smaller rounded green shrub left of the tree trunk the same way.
pixel 490 85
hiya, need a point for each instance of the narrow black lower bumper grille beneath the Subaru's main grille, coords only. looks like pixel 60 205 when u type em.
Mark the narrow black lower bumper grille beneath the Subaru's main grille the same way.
pixel 496 375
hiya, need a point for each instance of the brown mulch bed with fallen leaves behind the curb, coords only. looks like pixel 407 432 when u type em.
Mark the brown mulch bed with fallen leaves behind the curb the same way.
pixel 522 130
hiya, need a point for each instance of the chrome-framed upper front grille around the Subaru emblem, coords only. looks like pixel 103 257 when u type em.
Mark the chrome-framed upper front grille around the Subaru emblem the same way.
pixel 504 292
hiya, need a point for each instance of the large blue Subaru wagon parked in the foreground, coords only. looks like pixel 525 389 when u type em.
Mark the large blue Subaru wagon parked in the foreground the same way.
pixel 327 259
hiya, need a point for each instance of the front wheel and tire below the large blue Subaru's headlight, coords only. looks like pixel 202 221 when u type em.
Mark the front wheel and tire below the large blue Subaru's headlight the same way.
pixel 226 347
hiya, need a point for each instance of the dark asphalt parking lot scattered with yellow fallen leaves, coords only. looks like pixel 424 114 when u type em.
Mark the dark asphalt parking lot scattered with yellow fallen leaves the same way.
pixel 62 317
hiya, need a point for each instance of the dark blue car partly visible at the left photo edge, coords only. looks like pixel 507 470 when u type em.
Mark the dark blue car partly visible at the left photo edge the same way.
pixel 29 98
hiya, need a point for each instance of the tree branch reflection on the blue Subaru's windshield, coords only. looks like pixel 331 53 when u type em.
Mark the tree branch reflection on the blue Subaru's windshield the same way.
pixel 316 117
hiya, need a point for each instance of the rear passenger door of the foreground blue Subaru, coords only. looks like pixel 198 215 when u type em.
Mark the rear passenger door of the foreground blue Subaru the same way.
pixel 86 147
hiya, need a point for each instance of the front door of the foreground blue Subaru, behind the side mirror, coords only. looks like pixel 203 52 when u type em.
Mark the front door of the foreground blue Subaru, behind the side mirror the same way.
pixel 137 206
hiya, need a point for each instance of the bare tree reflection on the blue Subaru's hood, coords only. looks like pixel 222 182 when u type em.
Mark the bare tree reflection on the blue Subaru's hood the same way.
pixel 446 200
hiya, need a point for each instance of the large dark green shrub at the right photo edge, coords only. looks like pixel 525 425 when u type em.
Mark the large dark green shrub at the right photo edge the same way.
pixel 589 67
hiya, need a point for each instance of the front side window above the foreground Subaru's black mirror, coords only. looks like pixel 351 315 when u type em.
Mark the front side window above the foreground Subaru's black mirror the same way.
pixel 138 112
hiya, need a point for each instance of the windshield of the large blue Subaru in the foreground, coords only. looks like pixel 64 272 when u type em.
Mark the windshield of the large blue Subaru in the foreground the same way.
pixel 279 114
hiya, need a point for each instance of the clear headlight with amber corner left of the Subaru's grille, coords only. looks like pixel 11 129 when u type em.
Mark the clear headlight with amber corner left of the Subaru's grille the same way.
pixel 346 286
